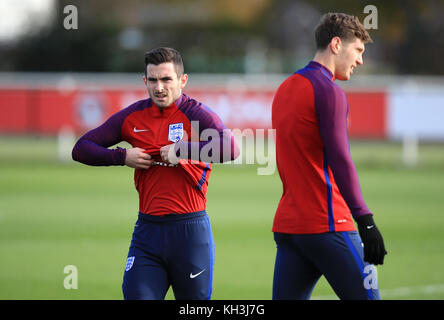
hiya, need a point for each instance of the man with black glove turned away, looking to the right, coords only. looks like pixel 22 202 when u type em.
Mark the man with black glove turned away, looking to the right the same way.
pixel 313 226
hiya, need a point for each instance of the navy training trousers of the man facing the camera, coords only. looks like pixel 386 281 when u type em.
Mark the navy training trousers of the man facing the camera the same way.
pixel 175 250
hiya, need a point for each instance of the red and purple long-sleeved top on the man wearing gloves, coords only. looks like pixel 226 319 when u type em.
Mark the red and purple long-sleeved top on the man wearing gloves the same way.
pixel 321 191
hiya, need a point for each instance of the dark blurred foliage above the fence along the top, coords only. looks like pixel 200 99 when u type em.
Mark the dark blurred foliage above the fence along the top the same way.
pixel 218 36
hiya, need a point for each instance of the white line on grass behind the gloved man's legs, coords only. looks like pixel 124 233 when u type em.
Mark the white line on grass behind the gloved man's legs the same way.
pixel 398 292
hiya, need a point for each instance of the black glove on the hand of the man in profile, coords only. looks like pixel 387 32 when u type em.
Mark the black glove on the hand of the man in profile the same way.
pixel 374 249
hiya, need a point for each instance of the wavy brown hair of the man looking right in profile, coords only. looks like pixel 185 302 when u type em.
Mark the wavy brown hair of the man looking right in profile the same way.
pixel 339 25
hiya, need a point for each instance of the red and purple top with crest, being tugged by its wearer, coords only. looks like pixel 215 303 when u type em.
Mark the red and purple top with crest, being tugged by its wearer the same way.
pixel 163 189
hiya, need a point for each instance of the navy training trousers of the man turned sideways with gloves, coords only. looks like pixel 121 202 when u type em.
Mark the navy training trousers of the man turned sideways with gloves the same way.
pixel 301 259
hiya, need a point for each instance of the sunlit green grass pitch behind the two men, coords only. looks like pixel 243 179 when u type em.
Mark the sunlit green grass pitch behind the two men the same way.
pixel 55 214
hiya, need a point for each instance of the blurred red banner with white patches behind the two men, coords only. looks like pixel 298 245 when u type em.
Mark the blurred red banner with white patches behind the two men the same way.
pixel 47 111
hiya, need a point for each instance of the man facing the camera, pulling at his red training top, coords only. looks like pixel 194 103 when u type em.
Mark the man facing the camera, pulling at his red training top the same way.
pixel 172 242
